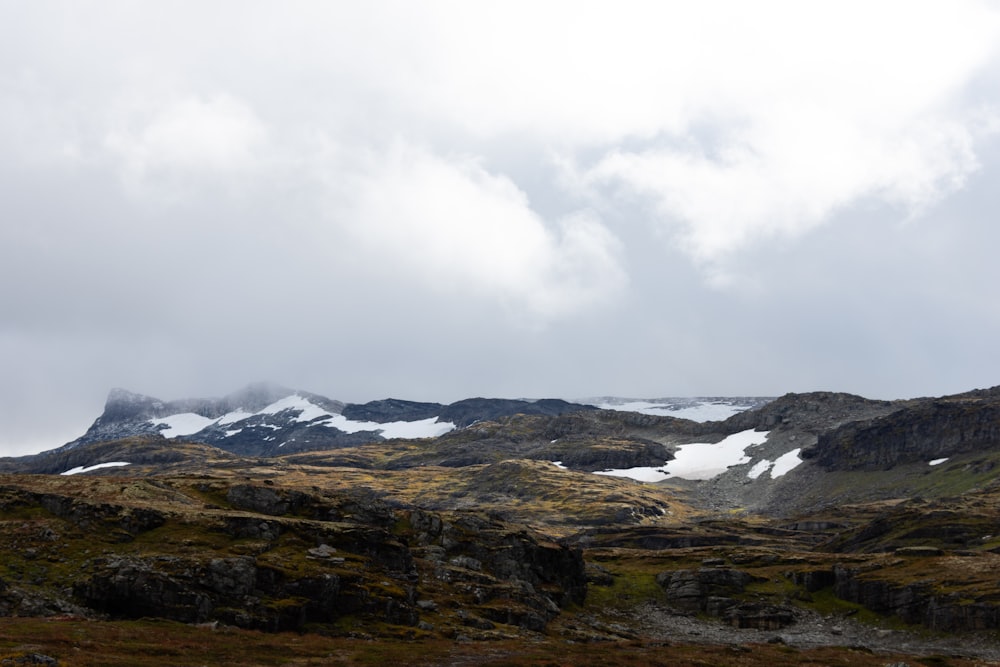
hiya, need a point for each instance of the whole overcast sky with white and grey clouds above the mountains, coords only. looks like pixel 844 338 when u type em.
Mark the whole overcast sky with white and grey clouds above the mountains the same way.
pixel 439 200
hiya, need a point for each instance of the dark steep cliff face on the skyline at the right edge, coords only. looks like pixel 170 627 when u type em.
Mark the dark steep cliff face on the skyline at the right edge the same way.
pixel 926 430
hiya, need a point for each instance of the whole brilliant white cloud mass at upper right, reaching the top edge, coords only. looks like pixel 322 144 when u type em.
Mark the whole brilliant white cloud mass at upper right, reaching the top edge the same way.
pixel 734 122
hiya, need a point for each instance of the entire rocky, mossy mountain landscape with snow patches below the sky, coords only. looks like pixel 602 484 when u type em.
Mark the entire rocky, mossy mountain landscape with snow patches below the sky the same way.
pixel 848 531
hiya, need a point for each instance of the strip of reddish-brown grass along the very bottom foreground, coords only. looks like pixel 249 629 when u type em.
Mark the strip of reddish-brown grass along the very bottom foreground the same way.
pixel 147 643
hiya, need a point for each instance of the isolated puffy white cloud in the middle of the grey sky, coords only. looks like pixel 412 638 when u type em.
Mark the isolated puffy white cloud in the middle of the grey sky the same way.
pixel 453 225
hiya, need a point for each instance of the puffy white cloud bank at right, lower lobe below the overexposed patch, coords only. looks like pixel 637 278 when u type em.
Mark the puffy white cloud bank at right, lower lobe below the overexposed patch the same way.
pixel 786 181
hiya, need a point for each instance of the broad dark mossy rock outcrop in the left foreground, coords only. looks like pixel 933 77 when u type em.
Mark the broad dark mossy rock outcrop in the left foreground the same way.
pixel 309 559
